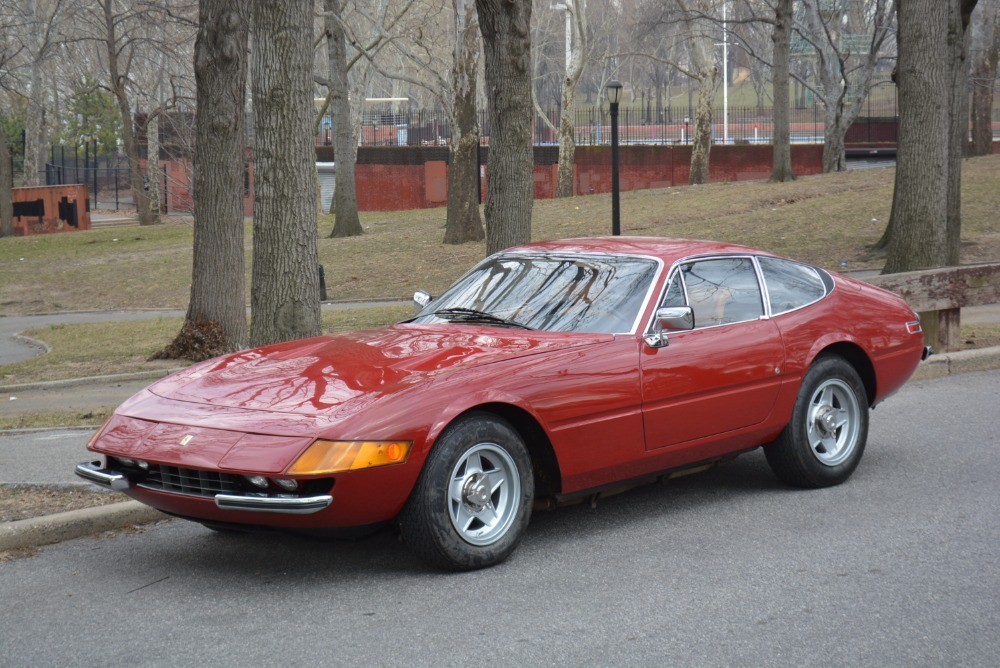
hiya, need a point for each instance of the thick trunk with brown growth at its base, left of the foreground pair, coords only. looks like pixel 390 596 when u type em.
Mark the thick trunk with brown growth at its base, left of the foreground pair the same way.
pixel 218 285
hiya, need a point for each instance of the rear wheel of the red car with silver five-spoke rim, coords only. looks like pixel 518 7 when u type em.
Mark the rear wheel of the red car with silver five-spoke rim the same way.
pixel 823 443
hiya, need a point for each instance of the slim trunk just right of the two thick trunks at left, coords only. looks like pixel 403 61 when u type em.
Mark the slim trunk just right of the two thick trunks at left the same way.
pixel 344 207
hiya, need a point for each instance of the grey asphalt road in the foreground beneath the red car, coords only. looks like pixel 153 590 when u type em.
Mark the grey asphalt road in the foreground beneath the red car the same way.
pixel 900 566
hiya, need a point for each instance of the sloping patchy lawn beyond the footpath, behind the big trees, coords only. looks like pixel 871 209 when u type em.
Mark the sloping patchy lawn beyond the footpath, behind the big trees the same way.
pixel 826 220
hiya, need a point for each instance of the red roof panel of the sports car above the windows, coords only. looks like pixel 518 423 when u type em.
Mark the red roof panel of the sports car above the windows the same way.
pixel 665 248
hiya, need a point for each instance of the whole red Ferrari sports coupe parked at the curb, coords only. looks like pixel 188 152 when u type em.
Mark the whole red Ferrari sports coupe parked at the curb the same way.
pixel 547 373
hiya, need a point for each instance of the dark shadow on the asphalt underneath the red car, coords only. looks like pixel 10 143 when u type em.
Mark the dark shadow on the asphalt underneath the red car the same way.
pixel 278 556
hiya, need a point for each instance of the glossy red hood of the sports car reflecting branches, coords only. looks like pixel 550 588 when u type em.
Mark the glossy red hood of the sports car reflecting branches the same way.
pixel 315 376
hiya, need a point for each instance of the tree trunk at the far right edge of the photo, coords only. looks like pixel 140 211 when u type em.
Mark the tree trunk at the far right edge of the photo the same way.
pixel 986 52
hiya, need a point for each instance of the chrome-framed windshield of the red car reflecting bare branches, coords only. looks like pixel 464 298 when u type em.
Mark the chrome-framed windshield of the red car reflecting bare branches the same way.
pixel 556 293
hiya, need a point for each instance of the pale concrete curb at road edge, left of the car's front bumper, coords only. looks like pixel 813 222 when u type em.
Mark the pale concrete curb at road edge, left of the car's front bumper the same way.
pixel 55 528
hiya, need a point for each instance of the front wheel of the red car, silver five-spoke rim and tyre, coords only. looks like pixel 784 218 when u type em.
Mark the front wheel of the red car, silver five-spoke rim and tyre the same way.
pixel 472 502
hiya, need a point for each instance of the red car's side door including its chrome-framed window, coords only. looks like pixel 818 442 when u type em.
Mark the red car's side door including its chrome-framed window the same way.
pixel 724 374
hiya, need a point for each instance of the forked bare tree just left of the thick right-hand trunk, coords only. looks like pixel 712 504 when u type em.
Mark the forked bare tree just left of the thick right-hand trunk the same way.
pixel 848 45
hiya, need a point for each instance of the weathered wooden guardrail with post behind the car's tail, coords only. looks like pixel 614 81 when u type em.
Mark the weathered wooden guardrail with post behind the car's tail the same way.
pixel 939 295
